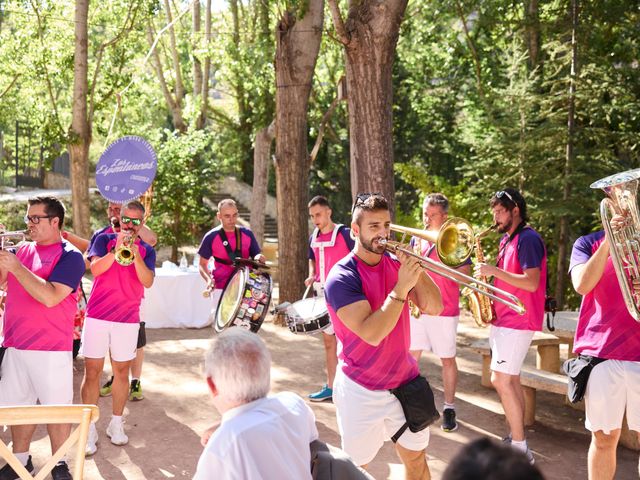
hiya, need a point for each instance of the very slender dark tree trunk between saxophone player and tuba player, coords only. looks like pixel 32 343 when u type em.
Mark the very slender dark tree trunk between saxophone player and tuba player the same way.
pixel 563 244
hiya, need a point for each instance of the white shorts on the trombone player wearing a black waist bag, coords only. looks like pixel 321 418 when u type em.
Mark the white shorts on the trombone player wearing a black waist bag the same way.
pixel 367 418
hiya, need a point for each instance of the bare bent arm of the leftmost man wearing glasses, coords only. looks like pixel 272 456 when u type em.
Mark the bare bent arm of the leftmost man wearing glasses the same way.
pixel 47 293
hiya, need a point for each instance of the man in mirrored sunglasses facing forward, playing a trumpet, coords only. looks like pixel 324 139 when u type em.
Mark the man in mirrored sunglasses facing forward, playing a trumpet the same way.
pixel 113 314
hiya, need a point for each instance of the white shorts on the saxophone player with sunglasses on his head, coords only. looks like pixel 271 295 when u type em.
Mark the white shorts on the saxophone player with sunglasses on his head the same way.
pixel 509 348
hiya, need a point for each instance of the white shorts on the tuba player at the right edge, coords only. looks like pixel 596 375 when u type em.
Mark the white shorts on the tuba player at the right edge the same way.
pixel 613 386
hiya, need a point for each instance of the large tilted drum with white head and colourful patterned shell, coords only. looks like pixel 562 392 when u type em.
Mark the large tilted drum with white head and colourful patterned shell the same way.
pixel 245 300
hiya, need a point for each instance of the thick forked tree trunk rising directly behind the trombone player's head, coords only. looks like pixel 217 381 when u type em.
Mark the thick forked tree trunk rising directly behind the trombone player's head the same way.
pixel 370 35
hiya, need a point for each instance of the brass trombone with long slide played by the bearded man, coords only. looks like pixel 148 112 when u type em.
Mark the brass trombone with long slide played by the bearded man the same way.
pixel 454 242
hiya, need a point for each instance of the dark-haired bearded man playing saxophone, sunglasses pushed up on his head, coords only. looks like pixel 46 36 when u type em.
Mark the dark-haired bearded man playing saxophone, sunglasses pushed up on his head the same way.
pixel 521 269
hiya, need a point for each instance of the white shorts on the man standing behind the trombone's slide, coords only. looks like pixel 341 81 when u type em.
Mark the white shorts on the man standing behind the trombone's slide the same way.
pixel 434 333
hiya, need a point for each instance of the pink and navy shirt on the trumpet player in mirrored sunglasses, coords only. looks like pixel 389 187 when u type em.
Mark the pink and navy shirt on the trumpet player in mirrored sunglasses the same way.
pixel 117 293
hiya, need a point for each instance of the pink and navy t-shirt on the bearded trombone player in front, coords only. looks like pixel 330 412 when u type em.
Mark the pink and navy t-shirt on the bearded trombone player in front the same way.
pixel 389 364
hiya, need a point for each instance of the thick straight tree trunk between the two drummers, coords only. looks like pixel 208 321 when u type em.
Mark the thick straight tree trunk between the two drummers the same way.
pixel 297 47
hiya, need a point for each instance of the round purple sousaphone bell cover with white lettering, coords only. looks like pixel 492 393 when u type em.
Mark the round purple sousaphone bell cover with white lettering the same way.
pixel 126 169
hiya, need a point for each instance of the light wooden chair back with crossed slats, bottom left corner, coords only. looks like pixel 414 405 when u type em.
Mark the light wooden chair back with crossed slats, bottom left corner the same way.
pixel 82 415
